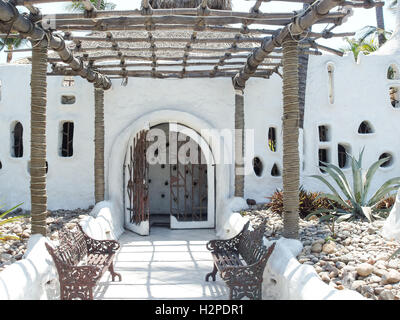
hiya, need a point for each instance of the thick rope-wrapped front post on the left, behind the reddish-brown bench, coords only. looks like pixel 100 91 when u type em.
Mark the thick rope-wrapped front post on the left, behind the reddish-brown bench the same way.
pixel 38 138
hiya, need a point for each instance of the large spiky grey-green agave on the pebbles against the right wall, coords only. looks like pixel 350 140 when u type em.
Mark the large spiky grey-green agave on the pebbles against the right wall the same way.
pixel 355 203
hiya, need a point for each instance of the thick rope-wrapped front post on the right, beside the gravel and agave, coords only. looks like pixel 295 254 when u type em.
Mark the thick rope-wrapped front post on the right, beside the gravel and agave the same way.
pixel 291 161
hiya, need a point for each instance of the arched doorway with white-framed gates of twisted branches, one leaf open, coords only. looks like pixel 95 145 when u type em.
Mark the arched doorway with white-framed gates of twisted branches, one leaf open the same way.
pixel 169 179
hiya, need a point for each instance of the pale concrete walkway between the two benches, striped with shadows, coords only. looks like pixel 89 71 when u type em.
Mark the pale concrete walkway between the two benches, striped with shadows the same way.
pixel 168 264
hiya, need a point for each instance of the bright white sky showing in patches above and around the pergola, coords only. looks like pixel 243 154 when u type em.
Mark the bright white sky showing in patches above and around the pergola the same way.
pixel 359 19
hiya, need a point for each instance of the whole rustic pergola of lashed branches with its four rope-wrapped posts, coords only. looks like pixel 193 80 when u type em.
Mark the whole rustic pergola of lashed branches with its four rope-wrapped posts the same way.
pixel 173 43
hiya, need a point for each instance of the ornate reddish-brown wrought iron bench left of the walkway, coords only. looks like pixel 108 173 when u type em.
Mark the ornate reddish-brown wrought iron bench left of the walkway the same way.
pixel 81 261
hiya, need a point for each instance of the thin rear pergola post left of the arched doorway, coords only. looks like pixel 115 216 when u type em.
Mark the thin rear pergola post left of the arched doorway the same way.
pixel 99 145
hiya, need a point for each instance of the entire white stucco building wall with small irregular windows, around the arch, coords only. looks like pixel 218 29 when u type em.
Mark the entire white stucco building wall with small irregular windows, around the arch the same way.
pixel 360 93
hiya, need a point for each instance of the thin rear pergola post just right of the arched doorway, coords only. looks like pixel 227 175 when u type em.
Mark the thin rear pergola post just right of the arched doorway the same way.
pixel 239 143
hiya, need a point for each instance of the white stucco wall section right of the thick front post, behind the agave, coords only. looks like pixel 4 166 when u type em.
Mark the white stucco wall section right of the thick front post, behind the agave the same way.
pixel 361 92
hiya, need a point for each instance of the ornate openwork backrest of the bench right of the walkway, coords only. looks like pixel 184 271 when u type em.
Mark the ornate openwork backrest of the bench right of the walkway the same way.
pixel 250 244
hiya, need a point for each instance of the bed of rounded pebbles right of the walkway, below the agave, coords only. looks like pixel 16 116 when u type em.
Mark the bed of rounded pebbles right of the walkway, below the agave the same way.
pixel 356 259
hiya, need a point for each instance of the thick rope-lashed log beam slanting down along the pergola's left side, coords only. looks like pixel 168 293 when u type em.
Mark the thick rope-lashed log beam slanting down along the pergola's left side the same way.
pixel 35 33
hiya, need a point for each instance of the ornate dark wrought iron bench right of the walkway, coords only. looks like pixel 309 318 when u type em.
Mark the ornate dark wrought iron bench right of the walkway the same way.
pixel 241 262
